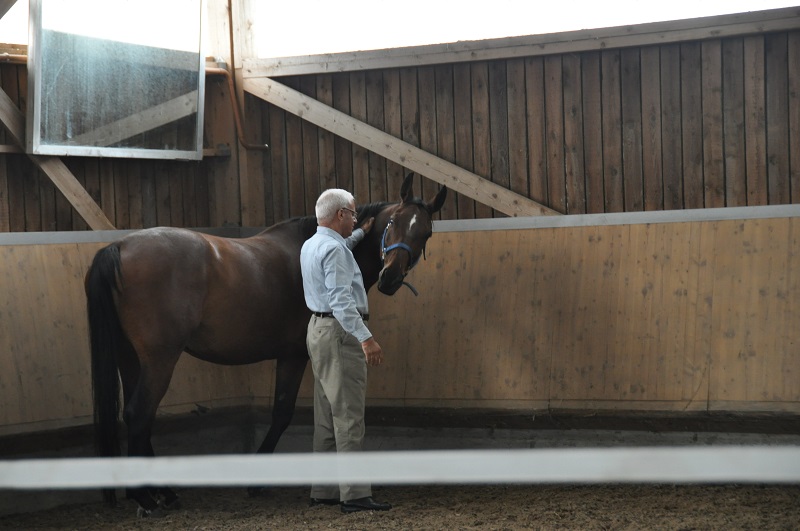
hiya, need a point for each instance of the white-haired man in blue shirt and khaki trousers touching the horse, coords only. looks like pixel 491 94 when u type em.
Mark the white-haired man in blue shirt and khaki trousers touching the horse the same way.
pixel 339 343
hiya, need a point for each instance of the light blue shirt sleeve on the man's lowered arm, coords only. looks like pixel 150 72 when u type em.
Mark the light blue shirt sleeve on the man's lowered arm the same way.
pixel 338 285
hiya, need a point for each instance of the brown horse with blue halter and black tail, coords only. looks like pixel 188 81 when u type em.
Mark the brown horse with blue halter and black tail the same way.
pixel 159 292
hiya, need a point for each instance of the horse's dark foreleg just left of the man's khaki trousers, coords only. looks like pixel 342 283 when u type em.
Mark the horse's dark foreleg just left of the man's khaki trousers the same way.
pixel 288 377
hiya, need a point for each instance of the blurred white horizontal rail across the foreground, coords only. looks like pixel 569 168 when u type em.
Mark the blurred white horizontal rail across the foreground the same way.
pixel 727 464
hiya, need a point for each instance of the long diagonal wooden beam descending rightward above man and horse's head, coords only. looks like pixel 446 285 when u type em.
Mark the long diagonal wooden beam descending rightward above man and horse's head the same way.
pixel 394 149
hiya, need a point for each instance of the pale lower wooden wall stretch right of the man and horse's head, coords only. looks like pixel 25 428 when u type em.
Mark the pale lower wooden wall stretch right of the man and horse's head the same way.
pixel 688 316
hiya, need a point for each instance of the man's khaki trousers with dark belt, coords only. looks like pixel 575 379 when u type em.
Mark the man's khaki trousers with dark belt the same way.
pixel 340 387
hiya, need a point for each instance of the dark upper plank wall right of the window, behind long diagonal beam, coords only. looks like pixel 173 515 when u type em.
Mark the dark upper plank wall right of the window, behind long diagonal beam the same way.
pixel 698 124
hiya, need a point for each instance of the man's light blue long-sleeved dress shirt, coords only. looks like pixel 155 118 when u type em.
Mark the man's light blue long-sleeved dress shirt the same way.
pixel 332 280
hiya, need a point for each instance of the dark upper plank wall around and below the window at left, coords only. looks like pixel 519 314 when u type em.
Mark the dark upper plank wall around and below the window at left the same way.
pixel 133 193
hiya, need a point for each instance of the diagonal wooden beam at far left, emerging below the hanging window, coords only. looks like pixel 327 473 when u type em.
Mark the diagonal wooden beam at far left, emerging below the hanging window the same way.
pixel 13 119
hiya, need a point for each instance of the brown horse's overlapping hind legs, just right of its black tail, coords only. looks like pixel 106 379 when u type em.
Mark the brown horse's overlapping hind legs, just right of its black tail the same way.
pixel 141 402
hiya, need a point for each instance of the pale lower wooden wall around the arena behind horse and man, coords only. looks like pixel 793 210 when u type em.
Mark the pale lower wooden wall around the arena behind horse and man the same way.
pixel 683 316
